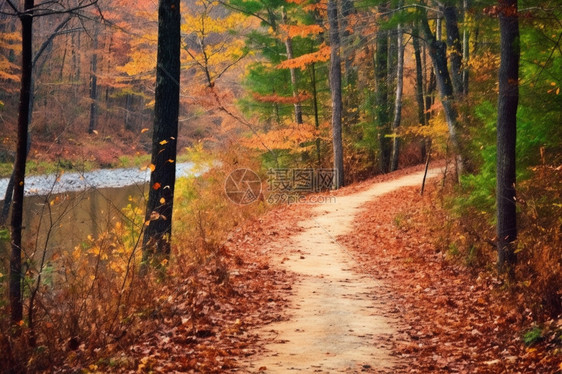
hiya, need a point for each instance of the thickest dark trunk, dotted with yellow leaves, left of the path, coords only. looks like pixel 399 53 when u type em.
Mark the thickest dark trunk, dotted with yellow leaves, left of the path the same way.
pixel 157 235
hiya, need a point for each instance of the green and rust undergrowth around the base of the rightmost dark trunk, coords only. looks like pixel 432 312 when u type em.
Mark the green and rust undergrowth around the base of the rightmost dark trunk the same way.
pixel 465 223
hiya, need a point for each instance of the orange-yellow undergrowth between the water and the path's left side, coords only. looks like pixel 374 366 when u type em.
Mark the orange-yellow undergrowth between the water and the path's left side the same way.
pixel 84 306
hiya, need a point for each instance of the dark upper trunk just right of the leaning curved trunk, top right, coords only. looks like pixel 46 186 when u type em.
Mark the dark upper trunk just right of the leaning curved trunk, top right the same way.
pixel 454 44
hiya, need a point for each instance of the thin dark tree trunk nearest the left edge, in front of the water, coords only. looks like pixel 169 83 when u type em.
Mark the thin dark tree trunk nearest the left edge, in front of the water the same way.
pixel 16 305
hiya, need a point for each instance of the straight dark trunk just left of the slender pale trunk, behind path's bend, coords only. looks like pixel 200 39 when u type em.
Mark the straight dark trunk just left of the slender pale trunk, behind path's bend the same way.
pixel 382 114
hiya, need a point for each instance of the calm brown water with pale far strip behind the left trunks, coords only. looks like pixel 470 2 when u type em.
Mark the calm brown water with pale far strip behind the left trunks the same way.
pixel 61 211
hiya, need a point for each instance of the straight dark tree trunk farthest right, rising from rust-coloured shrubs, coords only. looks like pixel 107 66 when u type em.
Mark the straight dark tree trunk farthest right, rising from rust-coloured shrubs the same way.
pixel 506 134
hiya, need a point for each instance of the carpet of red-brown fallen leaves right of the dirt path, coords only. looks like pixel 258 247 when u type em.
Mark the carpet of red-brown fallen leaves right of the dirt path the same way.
pixel 453 319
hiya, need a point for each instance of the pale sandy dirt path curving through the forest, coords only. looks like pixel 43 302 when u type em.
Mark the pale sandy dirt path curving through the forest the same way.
pixel 336 323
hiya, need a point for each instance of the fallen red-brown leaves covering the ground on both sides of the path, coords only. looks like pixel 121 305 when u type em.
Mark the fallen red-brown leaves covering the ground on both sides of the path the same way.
pixel 451 318
